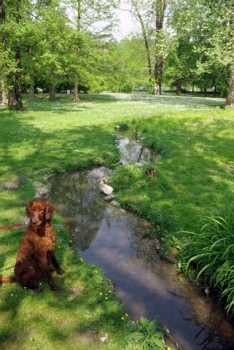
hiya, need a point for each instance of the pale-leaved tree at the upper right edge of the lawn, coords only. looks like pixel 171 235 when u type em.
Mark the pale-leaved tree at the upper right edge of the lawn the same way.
pixel 209 27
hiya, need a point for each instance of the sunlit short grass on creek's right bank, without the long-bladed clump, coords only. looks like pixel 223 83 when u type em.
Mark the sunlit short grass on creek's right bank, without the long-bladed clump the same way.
pixel 194 176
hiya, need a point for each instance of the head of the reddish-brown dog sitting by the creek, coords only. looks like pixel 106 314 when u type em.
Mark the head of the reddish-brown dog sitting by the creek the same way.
pixel 39 211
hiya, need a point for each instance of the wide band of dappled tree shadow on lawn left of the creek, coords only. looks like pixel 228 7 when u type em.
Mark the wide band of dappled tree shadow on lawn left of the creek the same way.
pixel 25 147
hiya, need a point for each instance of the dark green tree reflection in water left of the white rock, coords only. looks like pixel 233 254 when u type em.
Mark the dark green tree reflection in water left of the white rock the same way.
pixel 77 198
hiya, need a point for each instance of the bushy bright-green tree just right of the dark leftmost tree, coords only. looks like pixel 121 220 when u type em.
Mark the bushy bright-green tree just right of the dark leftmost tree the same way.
pixel 53 47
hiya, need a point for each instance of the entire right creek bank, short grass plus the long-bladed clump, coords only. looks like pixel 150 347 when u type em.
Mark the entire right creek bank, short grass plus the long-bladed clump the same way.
pixel 192 180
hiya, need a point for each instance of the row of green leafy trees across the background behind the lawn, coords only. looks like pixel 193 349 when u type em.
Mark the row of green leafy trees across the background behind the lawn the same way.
pixel 51 45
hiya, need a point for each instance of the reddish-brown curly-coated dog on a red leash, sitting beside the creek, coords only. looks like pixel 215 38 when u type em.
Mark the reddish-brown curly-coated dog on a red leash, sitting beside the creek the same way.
pixel 36 250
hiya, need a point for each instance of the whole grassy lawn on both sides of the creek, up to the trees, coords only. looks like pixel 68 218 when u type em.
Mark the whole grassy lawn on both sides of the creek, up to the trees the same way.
pixel 194 177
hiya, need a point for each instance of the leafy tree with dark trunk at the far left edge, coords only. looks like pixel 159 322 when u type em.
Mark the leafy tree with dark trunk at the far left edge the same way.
pixel 16 30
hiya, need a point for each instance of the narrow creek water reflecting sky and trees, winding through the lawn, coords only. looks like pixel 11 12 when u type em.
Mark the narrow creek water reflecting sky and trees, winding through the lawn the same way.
pixel 108 236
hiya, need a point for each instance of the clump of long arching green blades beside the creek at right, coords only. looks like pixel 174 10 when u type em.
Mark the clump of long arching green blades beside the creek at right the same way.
pixel 212 252
